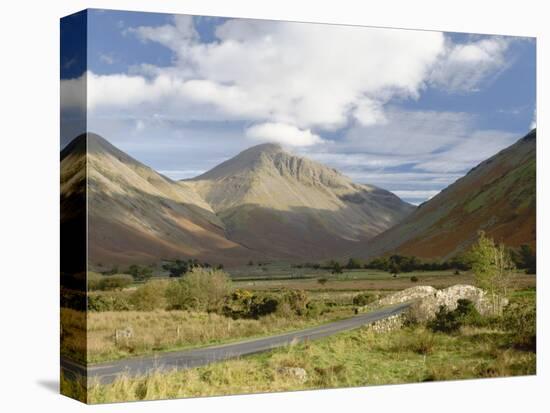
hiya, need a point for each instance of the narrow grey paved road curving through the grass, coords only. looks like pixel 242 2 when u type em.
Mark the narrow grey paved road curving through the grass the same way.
pixel 107 372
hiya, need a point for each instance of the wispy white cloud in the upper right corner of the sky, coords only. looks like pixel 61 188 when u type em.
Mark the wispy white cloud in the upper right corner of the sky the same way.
pixel 463 67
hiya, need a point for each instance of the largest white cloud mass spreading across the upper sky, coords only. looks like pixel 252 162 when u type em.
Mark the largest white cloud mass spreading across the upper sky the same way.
pixel 309 76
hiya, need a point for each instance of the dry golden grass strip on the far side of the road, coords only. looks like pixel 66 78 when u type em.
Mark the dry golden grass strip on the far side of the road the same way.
pixel 161 330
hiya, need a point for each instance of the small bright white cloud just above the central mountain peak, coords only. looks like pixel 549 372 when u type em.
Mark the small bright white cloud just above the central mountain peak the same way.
pixel 282 133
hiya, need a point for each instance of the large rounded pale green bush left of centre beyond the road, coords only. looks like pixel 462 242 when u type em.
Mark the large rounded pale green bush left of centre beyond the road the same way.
pixel 200 290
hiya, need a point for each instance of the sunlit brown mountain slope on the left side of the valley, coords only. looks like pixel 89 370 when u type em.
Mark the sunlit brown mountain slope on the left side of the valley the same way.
pixel 136 215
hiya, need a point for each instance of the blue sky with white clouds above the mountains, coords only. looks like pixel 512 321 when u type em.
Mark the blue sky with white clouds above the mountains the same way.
pixel 409 111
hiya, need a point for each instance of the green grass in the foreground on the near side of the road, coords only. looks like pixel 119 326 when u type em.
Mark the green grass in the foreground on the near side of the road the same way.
pixel 357 358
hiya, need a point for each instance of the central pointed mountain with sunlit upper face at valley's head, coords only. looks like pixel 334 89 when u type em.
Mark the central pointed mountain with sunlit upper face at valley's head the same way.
pixel 294 208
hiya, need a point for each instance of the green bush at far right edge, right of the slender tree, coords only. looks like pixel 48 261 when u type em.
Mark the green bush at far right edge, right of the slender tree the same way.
pixel 521 320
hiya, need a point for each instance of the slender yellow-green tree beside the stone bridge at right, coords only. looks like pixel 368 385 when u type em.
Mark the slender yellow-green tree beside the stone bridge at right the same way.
pixel 493 267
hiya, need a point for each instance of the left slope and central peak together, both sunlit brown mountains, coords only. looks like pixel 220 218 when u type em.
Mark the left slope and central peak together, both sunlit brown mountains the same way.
pixel 262 204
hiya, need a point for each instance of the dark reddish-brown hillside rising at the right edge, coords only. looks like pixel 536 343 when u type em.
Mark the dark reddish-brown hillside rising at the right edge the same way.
pixel 497 196
